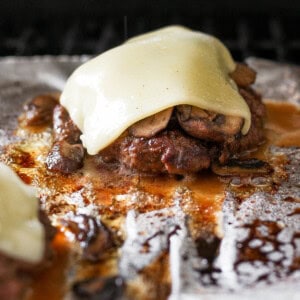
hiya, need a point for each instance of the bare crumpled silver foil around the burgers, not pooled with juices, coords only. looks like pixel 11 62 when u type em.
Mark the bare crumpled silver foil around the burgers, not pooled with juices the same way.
pixel 268 223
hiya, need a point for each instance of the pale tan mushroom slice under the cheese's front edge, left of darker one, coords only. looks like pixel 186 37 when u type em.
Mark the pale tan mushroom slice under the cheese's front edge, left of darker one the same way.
pixel 148 127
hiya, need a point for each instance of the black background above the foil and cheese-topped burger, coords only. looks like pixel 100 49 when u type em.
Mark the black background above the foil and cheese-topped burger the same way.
pixel 268 29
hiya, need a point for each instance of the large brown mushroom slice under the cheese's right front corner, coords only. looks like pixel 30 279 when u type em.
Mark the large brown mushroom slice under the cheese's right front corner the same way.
pixel 207 125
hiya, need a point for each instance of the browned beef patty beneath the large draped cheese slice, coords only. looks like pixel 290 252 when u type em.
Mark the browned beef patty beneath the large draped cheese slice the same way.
pixel 175 152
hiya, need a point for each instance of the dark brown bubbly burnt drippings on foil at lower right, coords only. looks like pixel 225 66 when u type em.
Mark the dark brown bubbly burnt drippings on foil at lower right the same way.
pixel 265 250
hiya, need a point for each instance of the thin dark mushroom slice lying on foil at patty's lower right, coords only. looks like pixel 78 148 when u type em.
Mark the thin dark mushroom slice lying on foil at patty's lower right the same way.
pixel 242 167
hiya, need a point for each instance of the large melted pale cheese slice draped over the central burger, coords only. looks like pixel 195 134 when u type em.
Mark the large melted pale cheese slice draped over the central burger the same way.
pixel 146 75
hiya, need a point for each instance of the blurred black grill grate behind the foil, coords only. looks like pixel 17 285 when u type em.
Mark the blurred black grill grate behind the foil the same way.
pixel 264 36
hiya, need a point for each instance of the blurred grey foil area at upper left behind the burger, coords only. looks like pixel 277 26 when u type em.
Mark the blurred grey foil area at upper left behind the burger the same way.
pixel 22 78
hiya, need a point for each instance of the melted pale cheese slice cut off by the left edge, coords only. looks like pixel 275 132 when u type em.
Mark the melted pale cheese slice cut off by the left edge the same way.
pixel 21 233
